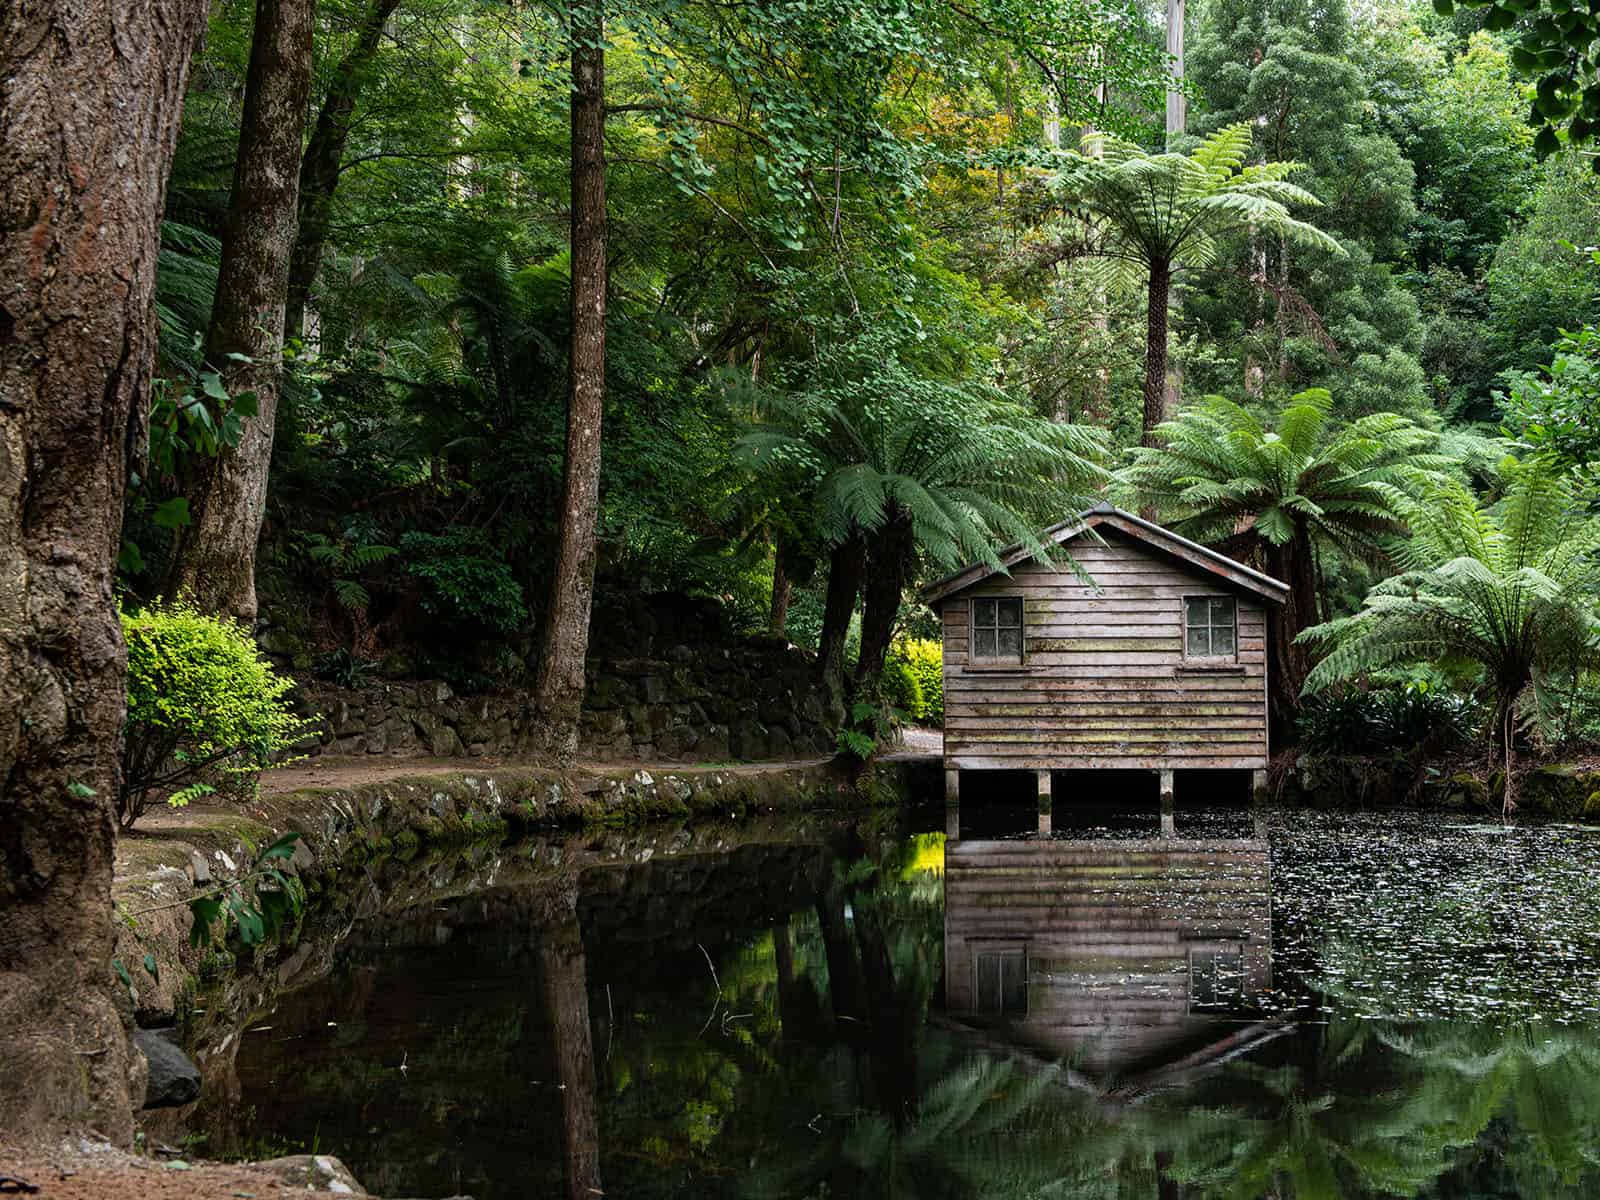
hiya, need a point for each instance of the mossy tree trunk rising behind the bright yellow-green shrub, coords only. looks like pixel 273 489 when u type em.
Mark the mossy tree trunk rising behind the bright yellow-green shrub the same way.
pixel 215 556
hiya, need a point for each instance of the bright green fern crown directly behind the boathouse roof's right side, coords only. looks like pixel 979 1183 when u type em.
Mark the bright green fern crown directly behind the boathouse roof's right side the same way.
pixel 1222 478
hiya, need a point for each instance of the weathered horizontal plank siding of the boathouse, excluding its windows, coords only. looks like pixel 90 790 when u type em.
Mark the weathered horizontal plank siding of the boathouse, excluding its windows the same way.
pixel 1103 681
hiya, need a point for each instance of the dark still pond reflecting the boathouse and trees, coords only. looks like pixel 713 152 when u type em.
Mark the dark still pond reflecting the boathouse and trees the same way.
pixel 1287 1006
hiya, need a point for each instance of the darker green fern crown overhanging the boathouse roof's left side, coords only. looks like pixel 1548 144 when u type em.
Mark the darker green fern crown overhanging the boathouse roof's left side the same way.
pixel 876 439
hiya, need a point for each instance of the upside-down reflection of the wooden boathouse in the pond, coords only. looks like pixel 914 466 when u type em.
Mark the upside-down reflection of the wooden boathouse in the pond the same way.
pixel 1118 956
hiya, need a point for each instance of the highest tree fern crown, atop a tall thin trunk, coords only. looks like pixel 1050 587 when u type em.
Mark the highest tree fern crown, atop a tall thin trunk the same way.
pixel 1175 207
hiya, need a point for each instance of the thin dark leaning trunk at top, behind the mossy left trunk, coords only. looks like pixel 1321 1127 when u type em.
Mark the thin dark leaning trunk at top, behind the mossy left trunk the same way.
pixel 326 156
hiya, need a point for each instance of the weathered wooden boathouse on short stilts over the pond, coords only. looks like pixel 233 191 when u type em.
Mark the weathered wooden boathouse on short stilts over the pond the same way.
pixel 1153 655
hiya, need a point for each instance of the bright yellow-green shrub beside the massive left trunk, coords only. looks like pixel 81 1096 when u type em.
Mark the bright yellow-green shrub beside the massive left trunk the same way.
pixel 206 711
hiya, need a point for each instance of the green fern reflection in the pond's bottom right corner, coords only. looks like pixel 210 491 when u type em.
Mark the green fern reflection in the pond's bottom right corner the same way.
pixel 1380 1110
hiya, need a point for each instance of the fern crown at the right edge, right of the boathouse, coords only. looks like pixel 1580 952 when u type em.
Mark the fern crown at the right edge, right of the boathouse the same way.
pixel 1508 586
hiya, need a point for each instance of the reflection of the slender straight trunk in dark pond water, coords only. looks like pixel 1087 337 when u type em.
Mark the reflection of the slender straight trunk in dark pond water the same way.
pixel 567 996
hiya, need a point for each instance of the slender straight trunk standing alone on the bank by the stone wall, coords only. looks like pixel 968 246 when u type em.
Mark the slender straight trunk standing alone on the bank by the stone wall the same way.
pixel 559 686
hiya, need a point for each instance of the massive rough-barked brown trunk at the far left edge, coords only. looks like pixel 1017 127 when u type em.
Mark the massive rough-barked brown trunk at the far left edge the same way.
pixel 90 100
